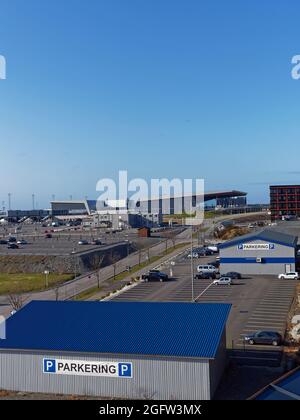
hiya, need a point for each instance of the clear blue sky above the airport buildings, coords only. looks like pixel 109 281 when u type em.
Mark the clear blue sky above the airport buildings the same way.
pixel 163 88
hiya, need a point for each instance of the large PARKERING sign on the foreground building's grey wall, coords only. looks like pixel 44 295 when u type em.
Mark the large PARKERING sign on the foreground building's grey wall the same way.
pixel 84 368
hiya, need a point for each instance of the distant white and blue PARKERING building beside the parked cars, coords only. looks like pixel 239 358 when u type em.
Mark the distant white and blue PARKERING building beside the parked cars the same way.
pixel 263 252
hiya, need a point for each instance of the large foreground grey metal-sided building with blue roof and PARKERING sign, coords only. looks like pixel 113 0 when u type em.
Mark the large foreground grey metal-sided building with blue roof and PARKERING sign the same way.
pixel 116 349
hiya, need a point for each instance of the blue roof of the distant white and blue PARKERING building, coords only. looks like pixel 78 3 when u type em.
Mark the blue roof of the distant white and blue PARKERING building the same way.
pixel 267 235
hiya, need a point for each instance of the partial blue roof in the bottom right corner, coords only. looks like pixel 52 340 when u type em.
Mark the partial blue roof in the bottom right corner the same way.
pixel 285 388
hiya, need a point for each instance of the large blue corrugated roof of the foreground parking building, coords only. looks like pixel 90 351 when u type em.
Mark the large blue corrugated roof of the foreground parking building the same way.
pixel 169 329
